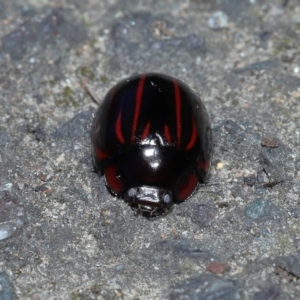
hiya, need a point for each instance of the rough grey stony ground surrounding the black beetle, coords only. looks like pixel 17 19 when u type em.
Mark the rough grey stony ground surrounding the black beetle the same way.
pixel 63 236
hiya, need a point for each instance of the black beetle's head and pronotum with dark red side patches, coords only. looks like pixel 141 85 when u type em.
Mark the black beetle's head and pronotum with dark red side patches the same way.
pixel 150 179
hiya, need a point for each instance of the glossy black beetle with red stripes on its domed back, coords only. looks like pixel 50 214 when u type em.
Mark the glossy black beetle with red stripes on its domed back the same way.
pixel 151 139
